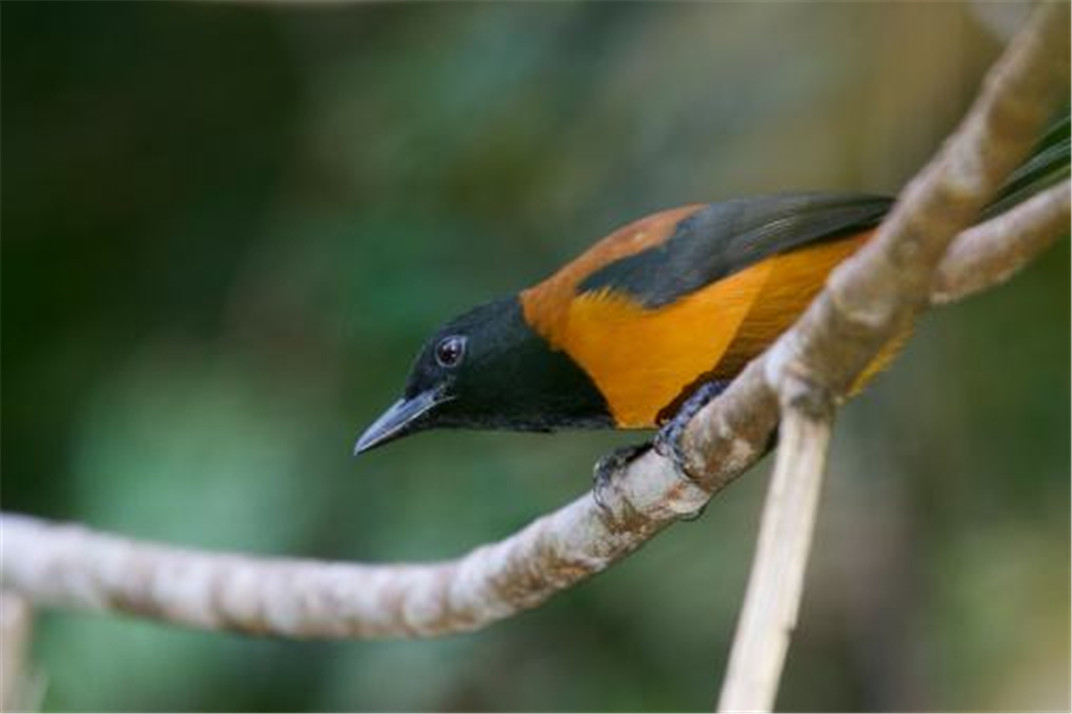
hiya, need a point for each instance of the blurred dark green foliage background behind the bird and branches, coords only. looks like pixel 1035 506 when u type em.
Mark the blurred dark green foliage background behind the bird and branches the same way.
pixel 228 229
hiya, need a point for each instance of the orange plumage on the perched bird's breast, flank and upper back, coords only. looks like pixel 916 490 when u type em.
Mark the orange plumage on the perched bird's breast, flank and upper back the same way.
pixel 644 360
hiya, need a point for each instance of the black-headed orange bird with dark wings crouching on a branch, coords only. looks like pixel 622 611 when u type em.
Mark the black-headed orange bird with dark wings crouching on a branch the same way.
pixel 653 321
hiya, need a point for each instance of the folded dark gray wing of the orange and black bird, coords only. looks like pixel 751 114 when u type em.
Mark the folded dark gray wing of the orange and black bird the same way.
pixel 721 240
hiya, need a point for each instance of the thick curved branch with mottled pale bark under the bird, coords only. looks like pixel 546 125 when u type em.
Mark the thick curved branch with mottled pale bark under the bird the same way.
pixel 867 302
